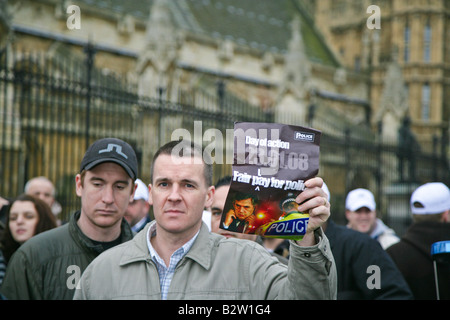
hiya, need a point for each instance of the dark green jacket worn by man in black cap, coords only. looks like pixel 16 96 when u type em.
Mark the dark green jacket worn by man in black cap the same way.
pixel 49 265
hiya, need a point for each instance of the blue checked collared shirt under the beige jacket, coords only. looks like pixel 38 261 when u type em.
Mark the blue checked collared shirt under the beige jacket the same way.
pixel 166 273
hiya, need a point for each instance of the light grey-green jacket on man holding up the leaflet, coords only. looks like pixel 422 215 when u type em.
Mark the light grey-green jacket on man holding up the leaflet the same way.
pixel 214 268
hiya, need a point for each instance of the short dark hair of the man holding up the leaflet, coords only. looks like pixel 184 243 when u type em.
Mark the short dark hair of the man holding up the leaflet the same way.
pixel 185 148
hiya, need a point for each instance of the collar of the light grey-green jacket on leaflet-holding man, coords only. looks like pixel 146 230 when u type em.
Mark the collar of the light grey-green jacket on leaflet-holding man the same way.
pixel 200 251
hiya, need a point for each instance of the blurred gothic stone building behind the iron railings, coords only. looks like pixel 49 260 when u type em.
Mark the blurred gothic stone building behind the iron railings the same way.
pixel 306 62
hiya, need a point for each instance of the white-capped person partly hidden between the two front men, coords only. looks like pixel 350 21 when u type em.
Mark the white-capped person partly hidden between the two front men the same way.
pixel 137 211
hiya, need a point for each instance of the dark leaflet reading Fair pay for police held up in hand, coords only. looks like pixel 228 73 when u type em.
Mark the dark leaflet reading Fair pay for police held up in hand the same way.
pixel 270 165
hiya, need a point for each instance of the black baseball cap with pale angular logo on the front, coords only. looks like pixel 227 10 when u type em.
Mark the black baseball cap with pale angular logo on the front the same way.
pixel 111 150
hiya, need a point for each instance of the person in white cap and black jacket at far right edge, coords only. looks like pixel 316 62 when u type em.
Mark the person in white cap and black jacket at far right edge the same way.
pixel 430 207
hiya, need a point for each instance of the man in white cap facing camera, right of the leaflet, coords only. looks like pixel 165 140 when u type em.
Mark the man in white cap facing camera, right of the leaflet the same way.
pixel 360 211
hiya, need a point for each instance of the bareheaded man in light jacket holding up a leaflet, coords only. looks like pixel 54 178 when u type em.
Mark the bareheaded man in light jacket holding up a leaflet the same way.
pixel 177 257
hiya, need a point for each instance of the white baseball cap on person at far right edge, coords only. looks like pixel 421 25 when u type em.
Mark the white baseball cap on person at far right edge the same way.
pixel 430 198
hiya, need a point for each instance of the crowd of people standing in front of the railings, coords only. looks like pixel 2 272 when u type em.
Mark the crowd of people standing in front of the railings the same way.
pixel 112 249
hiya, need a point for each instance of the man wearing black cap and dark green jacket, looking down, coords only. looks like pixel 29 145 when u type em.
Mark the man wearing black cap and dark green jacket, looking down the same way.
pixel 49 266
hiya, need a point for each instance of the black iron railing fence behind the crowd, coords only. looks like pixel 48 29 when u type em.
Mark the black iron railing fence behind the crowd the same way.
pixel 51 108
